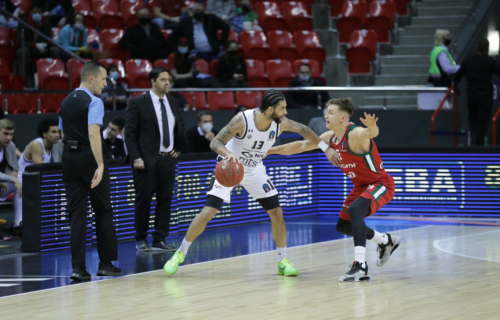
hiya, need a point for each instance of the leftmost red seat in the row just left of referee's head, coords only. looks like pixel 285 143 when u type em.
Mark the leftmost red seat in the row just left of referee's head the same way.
pixel 51 75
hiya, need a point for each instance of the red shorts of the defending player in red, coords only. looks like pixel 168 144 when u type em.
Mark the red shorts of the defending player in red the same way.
pixel 380 193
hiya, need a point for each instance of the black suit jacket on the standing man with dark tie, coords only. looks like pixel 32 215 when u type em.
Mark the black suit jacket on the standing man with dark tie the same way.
pixel 142 131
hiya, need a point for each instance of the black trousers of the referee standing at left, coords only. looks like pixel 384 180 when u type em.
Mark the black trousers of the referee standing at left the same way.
pixel 78 170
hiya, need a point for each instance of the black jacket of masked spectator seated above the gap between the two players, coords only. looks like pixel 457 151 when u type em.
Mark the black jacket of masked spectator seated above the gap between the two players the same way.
pixel 302 99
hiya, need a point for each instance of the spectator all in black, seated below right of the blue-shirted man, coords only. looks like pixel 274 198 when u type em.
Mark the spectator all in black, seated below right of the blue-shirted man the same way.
pixel 231 68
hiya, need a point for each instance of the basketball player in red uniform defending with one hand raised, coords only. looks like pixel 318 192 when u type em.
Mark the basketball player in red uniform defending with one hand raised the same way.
pixel 373 186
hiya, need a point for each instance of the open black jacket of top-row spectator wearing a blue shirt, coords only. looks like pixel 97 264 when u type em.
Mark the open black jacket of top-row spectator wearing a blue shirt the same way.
pixel 211 24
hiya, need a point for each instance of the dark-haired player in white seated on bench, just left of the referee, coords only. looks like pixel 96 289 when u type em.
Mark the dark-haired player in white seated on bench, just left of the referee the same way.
pixel 46 148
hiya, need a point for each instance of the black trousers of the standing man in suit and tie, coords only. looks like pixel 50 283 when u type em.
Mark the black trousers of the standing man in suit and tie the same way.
pixel 159 179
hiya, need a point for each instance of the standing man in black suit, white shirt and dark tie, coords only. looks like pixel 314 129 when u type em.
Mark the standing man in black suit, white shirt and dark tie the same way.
pixel 154 134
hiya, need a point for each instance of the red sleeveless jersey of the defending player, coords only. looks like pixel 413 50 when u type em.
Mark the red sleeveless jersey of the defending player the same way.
pixel 363 169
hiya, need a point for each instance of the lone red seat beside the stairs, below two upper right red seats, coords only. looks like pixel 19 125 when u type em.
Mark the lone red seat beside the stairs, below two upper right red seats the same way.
pixel 363 49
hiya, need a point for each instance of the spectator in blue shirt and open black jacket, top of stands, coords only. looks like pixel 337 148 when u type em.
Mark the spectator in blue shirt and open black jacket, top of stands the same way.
pixel 201 33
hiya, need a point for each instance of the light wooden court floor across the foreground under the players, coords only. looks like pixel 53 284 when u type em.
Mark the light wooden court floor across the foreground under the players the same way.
pixel 440 271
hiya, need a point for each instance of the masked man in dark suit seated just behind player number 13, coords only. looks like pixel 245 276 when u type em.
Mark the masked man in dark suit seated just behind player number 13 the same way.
pixel 199 137
